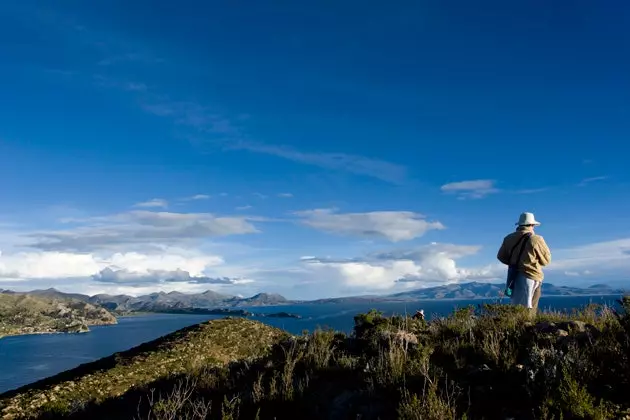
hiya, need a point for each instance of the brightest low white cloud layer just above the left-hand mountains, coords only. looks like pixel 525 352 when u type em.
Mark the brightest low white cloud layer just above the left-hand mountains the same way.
pixel 171 269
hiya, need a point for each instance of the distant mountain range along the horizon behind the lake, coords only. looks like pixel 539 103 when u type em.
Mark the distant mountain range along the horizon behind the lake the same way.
pixel 167 302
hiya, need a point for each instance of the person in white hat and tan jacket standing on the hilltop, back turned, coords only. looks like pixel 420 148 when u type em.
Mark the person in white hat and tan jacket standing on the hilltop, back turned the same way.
pixel 525 253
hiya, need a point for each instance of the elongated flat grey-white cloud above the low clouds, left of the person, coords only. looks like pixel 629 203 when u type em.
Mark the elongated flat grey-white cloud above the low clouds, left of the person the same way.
pixel 391 225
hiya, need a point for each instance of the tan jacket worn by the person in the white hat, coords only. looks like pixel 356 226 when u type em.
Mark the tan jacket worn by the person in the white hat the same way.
pixel 535 256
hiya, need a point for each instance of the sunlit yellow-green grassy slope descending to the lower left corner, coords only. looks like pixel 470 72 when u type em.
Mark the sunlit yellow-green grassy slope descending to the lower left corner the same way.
pixel 190 349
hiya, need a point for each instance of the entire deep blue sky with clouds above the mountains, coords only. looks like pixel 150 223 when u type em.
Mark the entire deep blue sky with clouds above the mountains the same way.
pixel 310 151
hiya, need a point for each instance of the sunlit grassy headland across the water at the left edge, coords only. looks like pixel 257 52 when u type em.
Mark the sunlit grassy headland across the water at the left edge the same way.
pixel 28 314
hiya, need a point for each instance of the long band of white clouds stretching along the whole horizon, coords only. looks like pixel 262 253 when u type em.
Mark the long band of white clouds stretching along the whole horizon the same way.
pixel 144 251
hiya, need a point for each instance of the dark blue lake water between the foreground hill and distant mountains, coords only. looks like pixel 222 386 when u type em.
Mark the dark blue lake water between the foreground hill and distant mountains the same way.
pixel 25 359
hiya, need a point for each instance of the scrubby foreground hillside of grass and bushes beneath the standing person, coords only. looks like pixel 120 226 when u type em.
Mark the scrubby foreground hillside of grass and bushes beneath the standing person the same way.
pixel 484 362
